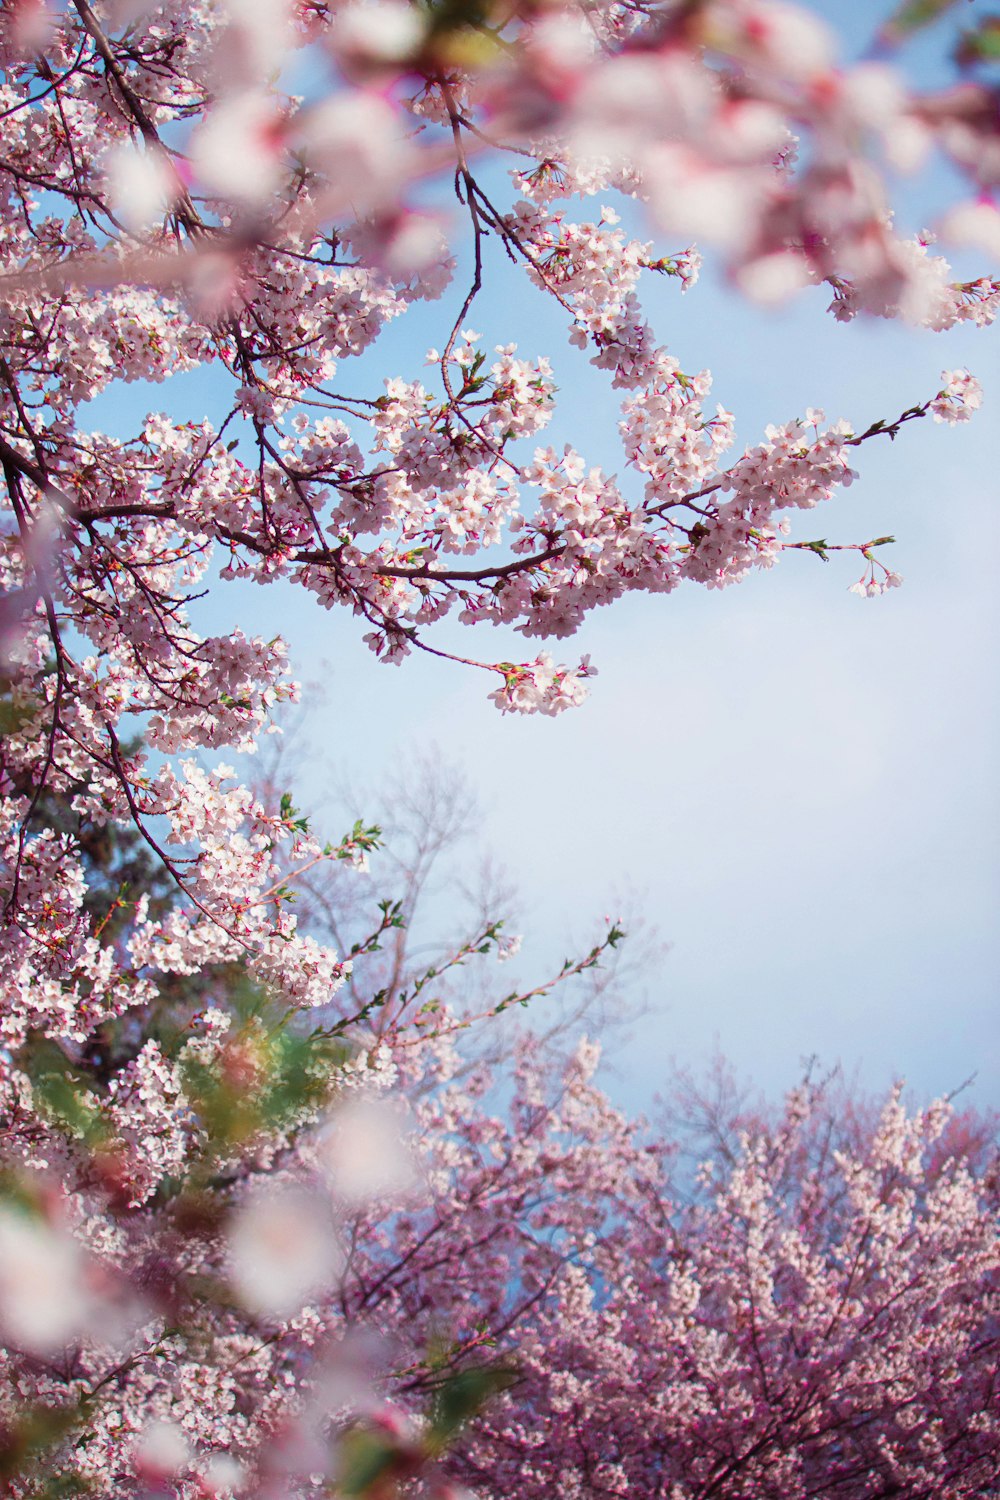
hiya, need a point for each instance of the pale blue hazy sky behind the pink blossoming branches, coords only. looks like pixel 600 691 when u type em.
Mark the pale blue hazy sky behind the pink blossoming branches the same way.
pixel 797 785
